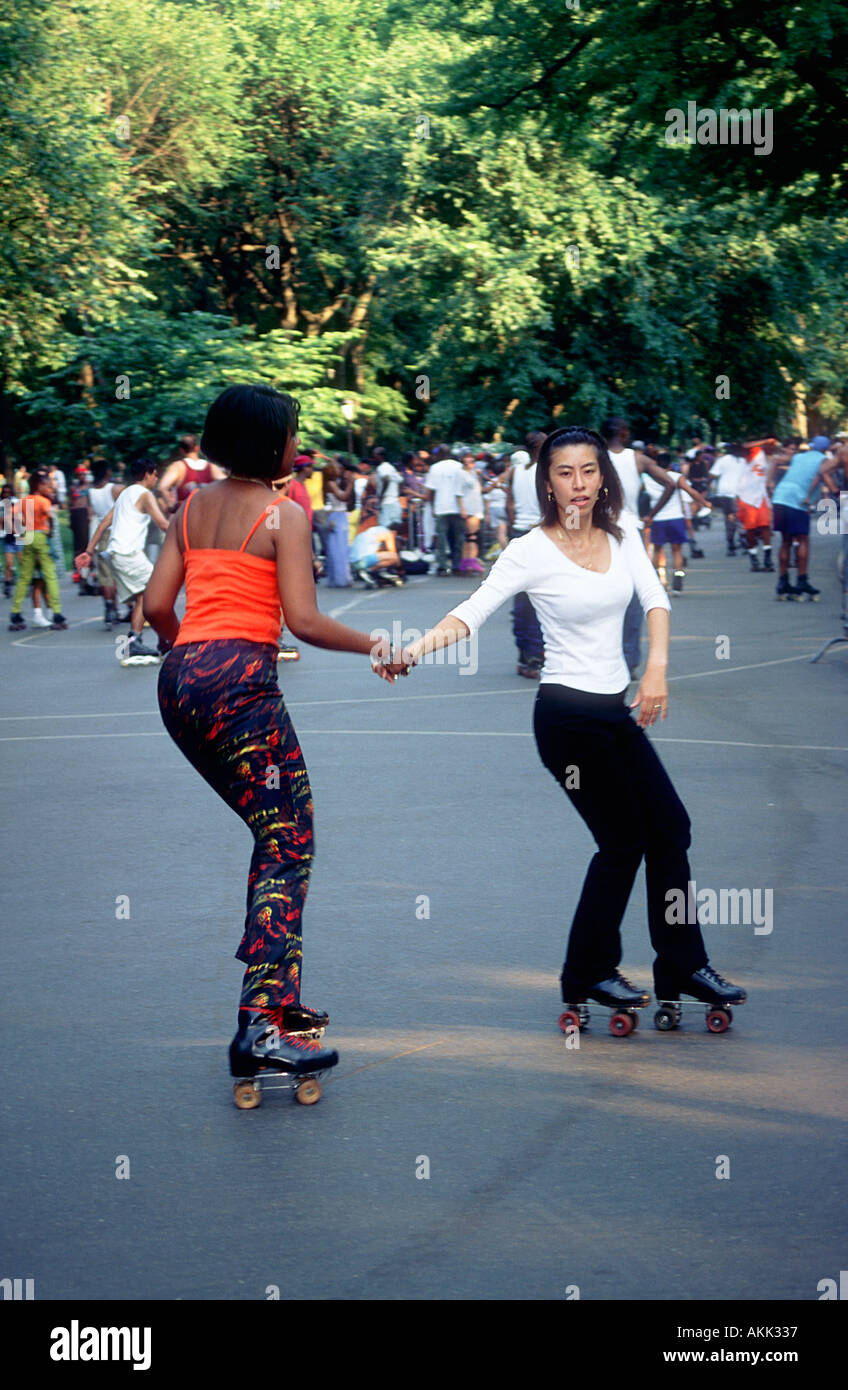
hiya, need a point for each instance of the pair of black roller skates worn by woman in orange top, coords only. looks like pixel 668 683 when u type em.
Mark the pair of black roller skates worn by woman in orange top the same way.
pixel 288 1061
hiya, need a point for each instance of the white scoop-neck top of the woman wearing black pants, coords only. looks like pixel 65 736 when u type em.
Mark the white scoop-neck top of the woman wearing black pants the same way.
pixel 580 612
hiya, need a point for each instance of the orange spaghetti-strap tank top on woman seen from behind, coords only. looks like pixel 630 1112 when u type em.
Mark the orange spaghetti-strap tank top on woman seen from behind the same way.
pixel 229 593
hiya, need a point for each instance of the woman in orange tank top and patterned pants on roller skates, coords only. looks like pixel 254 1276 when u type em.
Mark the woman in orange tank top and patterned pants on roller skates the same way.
pixel 243 553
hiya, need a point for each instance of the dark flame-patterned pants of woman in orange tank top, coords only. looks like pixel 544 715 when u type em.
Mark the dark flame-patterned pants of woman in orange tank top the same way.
pixel 222 705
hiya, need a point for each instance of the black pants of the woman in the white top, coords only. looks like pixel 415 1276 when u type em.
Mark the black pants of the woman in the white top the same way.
pixel 614 778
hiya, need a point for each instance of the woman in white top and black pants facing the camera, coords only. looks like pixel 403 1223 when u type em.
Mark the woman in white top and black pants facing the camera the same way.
pixel 580 568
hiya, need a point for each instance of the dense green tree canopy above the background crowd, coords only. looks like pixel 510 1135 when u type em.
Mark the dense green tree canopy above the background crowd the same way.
pixel 466 218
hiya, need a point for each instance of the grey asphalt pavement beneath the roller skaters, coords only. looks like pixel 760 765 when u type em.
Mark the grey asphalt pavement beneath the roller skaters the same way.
pixel 462 1150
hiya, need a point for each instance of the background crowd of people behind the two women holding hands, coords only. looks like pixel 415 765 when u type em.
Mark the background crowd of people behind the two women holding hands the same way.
pixel 448 511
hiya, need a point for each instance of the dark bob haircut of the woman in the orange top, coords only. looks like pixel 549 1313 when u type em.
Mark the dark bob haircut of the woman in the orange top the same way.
pixel 248 430
